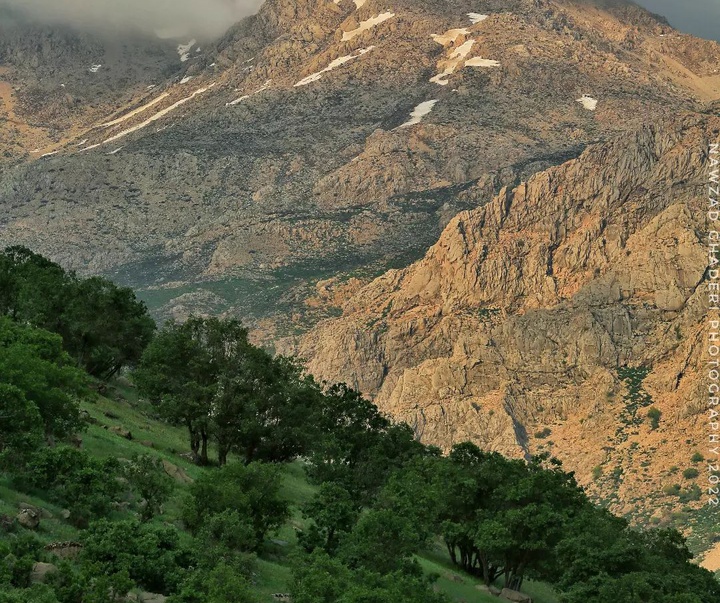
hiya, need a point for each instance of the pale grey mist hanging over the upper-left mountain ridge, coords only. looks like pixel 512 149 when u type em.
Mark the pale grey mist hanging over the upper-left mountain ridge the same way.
pixel 201 18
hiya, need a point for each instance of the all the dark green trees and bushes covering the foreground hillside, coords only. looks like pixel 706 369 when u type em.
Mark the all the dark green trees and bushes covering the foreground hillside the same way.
pixel 381 497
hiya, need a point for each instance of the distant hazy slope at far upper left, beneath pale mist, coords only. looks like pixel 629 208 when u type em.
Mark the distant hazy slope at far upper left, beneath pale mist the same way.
pixel 56 81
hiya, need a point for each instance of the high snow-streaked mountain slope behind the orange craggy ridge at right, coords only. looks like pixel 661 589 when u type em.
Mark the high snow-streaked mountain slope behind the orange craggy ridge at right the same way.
pixel 320 137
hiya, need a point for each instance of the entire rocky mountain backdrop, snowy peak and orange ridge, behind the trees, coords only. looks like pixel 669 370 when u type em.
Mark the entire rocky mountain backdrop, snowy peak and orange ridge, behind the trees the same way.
pixel 549 153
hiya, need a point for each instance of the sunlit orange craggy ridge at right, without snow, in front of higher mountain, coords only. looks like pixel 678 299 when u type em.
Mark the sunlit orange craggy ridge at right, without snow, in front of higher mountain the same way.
pixel 553 318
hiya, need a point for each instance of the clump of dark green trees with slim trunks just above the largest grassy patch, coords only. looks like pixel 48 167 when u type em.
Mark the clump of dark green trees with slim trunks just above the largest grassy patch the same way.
pixel 204 374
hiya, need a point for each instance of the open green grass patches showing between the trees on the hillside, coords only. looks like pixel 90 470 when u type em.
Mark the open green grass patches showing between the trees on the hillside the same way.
pixel 121 408
